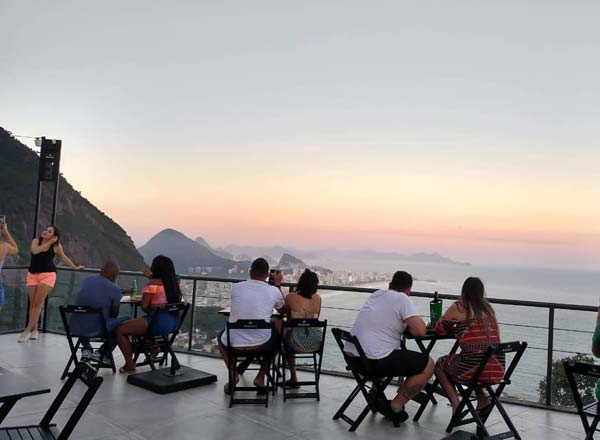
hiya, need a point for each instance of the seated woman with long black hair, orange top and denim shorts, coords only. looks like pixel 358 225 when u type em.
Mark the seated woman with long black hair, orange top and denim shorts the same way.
pixel 162 289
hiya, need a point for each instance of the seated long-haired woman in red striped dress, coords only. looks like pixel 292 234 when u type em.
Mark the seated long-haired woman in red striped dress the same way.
pixel 473 322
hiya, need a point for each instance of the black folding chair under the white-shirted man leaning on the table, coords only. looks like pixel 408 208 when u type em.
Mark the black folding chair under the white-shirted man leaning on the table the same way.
pixel 362 372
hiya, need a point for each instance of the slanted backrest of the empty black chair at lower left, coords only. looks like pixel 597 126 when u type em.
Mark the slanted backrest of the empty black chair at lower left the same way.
pixel 86 374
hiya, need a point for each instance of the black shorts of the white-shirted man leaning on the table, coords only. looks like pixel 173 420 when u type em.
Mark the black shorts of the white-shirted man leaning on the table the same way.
pixel 403 363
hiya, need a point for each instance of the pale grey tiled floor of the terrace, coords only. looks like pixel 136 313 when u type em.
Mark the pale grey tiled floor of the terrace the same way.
pixel 121 411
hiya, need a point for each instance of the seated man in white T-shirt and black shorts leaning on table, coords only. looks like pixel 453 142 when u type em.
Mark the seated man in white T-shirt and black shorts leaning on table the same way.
pixel 379 327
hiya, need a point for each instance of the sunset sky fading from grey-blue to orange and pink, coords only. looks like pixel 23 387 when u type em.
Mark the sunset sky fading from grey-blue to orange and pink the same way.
pixel 468 128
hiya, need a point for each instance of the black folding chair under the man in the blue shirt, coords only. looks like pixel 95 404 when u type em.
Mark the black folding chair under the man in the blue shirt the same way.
pixel 89 316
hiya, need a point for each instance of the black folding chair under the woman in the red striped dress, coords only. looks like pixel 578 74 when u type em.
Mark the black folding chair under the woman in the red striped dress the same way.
pixel 466 391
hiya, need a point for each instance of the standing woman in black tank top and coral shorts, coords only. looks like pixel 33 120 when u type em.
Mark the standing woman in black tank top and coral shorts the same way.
pixel 42 275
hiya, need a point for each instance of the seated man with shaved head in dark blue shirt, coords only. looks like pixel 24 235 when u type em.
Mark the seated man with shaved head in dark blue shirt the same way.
pixel 102 293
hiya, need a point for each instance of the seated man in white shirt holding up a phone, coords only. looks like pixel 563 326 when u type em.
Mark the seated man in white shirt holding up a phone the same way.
pixel 253 299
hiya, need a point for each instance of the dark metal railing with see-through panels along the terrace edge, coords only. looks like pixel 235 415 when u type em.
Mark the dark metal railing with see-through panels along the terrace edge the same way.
pixel 533 325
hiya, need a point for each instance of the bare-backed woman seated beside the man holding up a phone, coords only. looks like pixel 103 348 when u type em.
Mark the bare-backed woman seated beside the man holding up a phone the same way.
pixel 304 302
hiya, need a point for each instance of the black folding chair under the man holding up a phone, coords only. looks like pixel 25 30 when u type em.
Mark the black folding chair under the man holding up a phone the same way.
pixel 266 359
